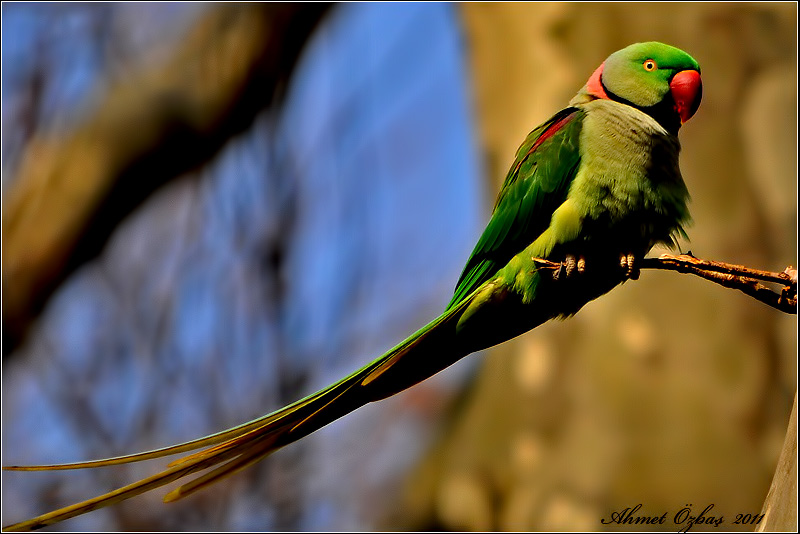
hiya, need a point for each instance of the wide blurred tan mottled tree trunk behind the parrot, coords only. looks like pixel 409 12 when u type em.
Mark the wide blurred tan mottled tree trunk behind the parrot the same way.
pixel 666 391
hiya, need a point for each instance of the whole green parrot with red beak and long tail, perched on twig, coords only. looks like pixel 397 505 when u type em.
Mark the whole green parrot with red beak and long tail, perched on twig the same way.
pixel 590 191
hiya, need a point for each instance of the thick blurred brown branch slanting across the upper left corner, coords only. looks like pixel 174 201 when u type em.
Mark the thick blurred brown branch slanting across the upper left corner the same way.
pixel 72 190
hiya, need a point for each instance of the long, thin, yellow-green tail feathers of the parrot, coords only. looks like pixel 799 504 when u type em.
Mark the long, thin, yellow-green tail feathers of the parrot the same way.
pixel 248 443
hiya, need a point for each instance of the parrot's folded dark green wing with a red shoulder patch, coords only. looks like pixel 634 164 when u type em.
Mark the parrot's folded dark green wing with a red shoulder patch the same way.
pixel 536 184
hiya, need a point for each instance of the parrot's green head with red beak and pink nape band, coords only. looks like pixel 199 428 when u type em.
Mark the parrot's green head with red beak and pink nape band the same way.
pixel 661 80
